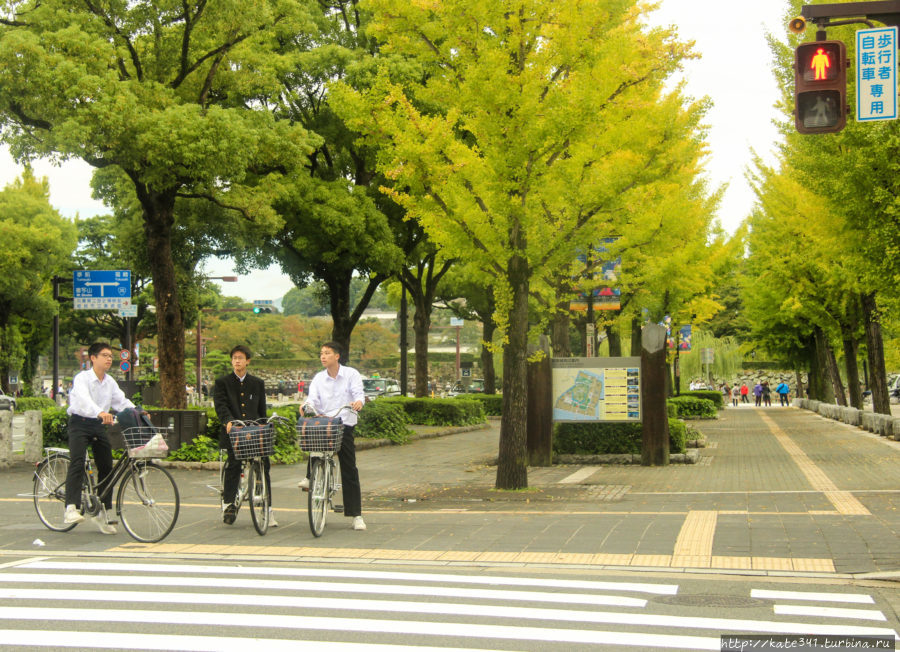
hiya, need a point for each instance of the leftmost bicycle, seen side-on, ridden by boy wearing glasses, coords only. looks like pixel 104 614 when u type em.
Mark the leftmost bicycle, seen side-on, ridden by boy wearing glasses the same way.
pixel 147 502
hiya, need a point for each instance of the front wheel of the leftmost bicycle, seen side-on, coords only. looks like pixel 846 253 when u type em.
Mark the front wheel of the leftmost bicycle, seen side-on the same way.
pixel 148 502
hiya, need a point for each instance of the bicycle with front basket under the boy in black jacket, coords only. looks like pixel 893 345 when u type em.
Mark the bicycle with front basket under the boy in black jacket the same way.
pixel 251 441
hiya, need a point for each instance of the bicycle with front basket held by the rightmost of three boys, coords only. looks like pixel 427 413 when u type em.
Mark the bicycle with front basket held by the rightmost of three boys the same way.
pixel 321 437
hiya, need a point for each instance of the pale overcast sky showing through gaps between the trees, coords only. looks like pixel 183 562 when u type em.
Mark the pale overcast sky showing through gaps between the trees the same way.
pixel 729 36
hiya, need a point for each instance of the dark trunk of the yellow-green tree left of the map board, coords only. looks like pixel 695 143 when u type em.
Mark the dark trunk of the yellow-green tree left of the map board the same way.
pixel 512 469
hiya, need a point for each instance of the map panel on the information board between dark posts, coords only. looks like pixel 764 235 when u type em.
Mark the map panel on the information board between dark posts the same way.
pixel 596 389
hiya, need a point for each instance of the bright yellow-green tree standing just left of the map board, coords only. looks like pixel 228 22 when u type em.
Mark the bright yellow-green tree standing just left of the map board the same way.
pixel 520 141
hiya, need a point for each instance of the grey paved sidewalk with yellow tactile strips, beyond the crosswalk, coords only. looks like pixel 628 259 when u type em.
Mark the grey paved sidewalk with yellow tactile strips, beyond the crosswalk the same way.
pixel 778 491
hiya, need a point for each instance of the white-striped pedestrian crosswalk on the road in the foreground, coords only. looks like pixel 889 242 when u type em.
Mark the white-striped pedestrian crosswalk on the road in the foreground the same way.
pixel 73 603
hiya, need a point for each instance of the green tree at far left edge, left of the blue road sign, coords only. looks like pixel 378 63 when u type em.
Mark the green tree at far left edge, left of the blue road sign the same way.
pixel 36 243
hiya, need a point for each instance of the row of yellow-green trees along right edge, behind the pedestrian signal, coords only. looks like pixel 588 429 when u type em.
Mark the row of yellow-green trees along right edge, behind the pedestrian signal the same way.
pixel 823 271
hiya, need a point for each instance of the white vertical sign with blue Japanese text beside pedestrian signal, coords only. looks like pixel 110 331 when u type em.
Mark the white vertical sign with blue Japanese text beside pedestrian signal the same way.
pixel 876 74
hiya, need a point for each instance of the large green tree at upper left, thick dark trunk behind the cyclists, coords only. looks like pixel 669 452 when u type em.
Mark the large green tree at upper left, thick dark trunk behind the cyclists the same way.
pixel 167 94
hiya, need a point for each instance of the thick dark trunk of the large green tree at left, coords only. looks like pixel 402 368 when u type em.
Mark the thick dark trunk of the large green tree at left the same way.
pixel 159 218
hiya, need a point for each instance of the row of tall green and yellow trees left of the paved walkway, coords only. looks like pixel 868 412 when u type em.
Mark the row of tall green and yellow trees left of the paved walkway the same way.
pixel 474 146
